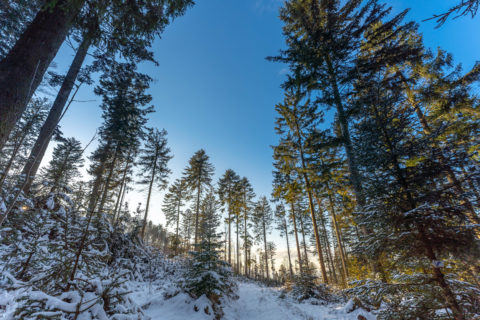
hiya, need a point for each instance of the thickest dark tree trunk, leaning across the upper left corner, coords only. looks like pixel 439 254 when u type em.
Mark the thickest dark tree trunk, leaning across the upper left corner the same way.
pixel 22 70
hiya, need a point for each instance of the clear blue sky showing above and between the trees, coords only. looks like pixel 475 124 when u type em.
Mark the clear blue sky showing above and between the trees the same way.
pixel 215 90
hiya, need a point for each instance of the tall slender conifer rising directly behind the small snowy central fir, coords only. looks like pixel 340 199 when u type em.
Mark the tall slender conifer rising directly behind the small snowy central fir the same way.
pixel 198 176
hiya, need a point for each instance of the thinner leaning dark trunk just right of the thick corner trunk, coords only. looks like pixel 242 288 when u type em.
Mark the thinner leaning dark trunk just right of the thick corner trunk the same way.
pixel 46 132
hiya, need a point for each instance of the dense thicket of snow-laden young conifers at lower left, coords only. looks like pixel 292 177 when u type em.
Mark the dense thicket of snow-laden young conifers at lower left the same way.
pixel 60 263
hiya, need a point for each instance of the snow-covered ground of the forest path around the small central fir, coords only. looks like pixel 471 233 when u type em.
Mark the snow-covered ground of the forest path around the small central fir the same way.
pixel 254 303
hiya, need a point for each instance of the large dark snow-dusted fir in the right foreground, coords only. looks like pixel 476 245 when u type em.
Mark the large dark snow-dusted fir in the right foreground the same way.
pixel 409 207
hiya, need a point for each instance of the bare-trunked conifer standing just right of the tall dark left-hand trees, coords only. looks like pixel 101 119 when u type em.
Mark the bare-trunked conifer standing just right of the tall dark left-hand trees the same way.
pixel 153 163
